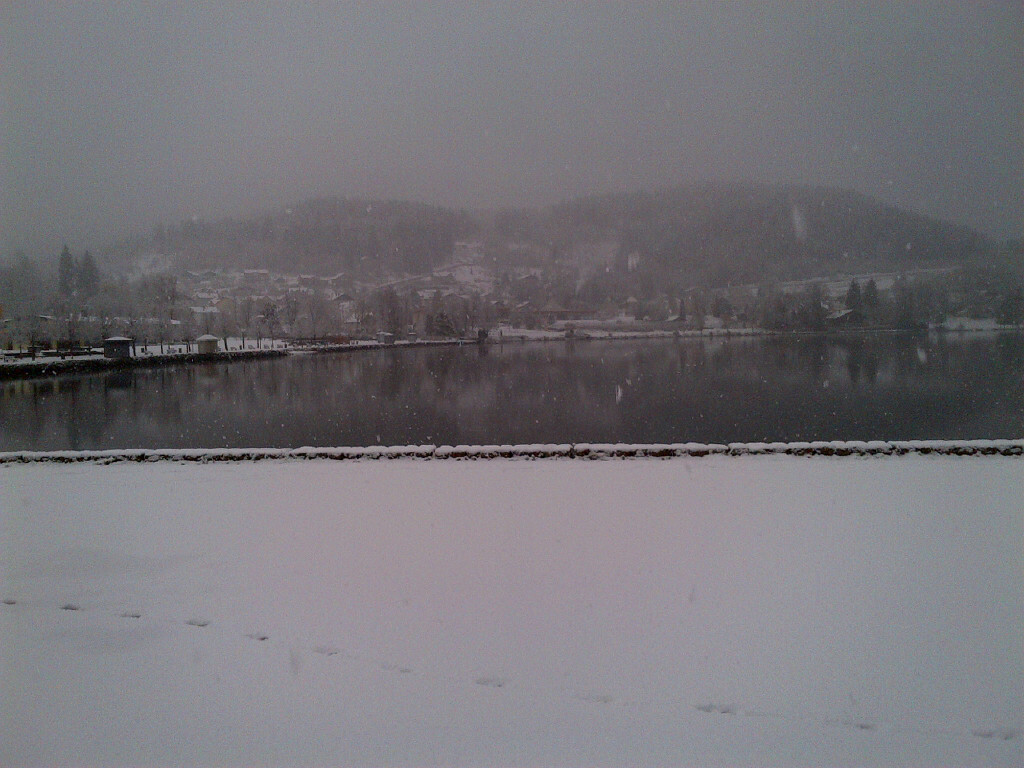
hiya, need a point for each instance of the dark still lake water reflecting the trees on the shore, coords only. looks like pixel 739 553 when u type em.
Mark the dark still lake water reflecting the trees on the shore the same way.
pixel 709 391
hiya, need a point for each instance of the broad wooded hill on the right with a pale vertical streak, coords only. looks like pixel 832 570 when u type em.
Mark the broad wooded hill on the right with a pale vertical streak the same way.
pixel 720 234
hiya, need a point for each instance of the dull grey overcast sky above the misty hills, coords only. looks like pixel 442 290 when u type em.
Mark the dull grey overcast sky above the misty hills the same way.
pixel 115 116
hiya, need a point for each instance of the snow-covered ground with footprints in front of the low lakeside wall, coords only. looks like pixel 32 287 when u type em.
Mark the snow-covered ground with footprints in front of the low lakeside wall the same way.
pixel 747 610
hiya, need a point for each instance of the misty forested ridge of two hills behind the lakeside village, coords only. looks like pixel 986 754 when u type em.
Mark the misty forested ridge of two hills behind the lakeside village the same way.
pixel 708 234
